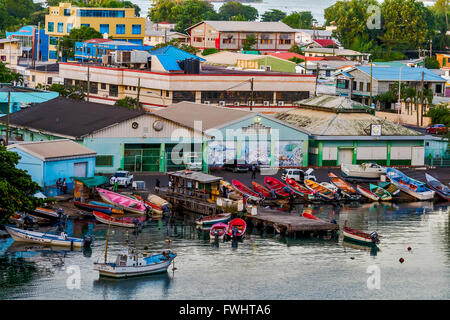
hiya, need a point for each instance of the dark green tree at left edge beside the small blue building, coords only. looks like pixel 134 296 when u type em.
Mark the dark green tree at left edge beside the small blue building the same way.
pixel 16 187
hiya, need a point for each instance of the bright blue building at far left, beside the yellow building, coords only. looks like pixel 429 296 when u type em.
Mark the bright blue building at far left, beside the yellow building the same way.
pixel 29 37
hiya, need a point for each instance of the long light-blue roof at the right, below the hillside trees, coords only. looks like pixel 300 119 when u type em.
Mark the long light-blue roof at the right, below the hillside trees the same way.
pixel 407 73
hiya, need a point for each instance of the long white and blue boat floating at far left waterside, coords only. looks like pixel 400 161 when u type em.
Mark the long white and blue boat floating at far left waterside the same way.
pixel 44 237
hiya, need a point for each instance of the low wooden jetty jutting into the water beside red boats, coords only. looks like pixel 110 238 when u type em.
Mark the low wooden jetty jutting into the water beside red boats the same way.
pixel 291 225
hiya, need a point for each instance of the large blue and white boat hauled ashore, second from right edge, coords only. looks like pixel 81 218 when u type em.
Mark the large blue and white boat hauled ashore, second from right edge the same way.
pixel 409 185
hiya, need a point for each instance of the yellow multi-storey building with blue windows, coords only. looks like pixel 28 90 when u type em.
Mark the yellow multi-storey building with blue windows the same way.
pixel 117 23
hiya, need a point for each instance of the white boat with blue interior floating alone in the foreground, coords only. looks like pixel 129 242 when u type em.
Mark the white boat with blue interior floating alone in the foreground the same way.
pixel 130 263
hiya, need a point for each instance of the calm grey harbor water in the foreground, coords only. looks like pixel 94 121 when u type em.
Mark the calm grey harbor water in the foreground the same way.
pixel 264 266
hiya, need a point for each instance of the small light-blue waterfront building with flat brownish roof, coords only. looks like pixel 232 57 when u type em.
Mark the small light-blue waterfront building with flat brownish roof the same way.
pixel 47 161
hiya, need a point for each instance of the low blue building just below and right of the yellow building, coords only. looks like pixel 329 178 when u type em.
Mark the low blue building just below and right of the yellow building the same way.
pixel 94 49
